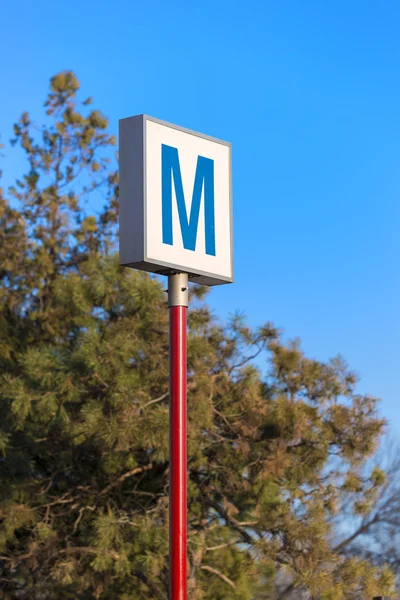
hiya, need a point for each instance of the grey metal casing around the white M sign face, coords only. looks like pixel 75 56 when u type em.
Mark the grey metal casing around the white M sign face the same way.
pixel 133 202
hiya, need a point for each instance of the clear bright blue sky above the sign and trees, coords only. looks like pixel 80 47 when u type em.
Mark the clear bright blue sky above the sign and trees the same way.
pixel 309 95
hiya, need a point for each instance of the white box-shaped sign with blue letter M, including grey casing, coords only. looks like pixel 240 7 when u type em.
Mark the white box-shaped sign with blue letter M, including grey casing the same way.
pixel 175 194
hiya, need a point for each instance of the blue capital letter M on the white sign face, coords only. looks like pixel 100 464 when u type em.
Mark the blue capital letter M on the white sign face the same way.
pixel 204 177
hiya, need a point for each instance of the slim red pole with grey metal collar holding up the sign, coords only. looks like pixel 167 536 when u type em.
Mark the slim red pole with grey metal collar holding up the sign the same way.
pixel 177 303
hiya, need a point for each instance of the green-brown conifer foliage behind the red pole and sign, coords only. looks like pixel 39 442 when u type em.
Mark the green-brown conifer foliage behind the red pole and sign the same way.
pixel 84 411
